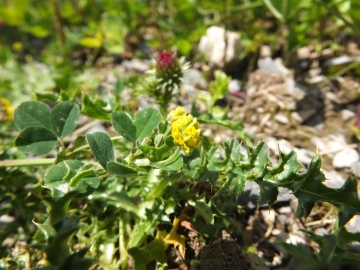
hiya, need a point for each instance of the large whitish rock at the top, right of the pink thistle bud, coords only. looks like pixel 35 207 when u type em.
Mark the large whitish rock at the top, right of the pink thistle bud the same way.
pixel 213 46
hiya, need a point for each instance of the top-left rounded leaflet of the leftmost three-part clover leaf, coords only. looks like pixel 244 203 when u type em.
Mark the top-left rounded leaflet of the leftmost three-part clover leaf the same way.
pixel 32 114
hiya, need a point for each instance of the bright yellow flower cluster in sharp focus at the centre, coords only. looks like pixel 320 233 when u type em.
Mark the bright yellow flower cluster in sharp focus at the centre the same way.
pixel 185 129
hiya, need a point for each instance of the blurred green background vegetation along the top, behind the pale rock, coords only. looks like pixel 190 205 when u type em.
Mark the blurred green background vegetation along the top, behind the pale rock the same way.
pixel 46 45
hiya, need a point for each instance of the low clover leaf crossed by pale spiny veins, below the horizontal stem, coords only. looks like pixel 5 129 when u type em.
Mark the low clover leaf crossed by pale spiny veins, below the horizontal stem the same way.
pixel 71 175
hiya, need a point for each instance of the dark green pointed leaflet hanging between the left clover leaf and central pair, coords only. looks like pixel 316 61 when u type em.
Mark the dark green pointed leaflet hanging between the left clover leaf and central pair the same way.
pixel 102 147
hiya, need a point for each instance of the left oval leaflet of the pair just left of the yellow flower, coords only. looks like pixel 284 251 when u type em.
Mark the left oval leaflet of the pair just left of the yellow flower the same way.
pixel 123 125
